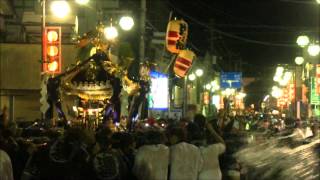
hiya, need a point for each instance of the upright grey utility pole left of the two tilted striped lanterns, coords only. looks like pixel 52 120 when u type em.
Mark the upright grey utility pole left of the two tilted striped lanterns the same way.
pixel 142 29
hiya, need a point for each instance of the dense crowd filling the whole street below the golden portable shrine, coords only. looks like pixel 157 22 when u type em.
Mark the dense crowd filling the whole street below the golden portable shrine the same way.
pixel 162 149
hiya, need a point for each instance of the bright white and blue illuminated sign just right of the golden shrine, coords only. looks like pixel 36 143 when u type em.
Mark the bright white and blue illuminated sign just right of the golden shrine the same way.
pixel 159 94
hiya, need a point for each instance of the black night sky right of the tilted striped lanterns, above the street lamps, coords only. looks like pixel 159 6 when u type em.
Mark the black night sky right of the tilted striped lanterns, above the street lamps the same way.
pixel 275 23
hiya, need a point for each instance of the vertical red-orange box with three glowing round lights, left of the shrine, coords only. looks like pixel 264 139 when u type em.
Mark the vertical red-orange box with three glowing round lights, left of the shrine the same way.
pixel 51 50
